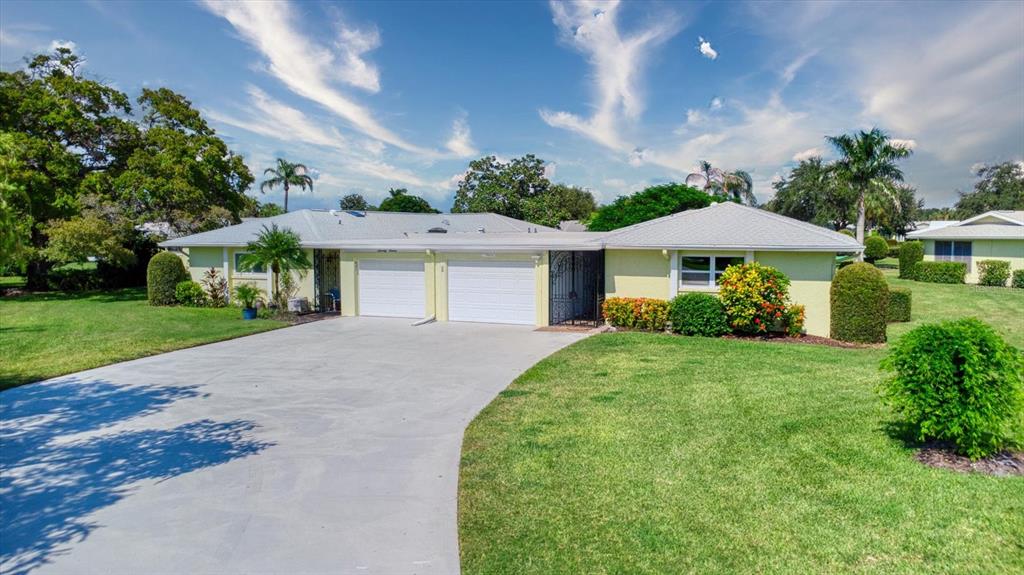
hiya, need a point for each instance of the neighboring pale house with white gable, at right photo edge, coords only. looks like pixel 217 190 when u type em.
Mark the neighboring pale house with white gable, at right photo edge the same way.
pixel 993 236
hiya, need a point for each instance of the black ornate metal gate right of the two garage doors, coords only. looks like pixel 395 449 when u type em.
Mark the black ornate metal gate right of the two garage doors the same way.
pixel 577 288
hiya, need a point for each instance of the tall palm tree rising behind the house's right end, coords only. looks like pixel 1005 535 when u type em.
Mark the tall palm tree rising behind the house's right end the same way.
pixel 868 164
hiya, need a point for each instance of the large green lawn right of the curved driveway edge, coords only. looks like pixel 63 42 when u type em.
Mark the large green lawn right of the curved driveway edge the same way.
pixel 649 454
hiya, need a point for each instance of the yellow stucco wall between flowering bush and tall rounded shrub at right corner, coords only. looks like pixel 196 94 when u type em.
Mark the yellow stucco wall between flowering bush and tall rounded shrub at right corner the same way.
pixel 810 281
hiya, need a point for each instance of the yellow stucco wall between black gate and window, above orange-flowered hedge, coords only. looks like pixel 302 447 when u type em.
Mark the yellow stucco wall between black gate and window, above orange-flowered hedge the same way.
pixel 636 274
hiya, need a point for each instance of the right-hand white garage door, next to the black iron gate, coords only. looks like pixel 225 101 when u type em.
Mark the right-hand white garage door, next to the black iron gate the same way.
pixel 493 292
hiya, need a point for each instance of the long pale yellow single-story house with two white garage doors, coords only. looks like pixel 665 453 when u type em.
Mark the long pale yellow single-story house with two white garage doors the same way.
pixel 490 269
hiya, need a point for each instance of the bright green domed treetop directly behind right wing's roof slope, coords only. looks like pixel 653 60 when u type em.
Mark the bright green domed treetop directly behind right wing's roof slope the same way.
pixel 655 202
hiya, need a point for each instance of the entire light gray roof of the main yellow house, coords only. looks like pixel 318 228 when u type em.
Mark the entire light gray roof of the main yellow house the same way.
pixel 721 227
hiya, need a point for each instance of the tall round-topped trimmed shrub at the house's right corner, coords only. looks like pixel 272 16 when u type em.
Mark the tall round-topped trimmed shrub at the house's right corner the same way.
pixel 860 304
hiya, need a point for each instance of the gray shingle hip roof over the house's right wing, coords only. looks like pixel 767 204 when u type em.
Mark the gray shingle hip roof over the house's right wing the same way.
pixel 731 227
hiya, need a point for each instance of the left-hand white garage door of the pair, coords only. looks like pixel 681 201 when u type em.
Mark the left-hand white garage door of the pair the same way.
pixel 392 288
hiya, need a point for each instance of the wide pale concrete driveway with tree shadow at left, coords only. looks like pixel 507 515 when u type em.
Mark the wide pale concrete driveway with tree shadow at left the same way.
pixel 330 448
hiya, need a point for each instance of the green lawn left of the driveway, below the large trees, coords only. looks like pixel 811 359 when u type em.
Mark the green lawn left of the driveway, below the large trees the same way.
pixel 49 335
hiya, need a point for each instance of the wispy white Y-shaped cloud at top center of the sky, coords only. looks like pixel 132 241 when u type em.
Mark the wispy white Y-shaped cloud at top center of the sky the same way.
pixel 617 61
